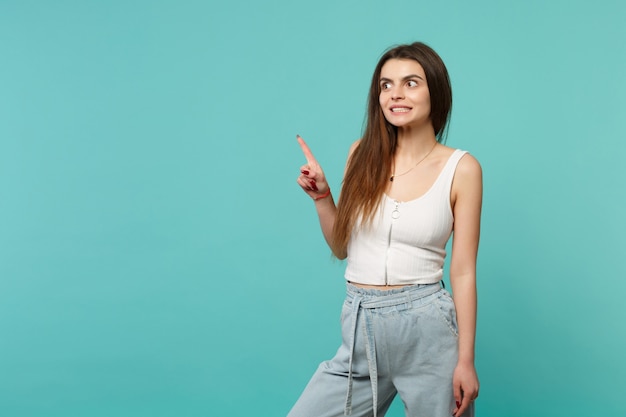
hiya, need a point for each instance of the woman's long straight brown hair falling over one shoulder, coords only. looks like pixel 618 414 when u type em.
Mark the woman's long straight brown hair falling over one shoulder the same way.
pixel 369 167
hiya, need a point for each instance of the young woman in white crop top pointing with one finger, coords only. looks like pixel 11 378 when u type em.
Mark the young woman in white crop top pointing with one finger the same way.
pixel 403 195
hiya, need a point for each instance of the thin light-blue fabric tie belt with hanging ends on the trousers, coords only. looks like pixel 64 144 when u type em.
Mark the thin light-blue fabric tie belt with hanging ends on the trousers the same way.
pixel 358 303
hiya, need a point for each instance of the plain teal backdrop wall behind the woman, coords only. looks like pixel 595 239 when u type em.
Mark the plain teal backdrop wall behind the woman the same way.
pixel 158 259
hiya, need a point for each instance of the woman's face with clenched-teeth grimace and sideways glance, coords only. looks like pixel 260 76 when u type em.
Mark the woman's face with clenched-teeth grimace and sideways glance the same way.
pixel 404 96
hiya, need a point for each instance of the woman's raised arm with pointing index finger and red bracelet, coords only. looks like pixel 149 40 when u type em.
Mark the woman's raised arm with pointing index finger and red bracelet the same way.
pixel 313 181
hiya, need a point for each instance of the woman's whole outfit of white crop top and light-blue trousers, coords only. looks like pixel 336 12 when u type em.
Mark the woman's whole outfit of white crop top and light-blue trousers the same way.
pixel 399 341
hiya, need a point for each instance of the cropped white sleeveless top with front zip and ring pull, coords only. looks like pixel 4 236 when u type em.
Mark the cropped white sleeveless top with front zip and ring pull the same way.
pixel 405 244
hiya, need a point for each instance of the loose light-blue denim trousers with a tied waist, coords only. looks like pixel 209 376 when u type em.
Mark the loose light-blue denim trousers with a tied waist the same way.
pixel 401 341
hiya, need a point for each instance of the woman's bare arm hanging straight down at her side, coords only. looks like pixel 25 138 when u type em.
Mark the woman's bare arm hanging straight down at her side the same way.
pixel 467 201
